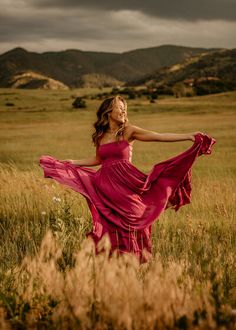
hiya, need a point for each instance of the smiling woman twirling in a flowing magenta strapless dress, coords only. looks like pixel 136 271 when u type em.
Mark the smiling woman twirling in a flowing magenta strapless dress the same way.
pixel 124 202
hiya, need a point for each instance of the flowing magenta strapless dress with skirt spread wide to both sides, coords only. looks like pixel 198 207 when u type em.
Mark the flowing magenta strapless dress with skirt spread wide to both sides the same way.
pixel 124 202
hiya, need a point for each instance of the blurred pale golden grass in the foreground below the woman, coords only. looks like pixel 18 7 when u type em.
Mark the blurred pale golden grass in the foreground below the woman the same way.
pixel 103 293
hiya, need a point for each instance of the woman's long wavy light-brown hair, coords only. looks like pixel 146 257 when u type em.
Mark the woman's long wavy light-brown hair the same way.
pixel 102 123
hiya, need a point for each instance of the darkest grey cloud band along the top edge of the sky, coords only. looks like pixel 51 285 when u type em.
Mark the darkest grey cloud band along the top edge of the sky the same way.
pixel 175 9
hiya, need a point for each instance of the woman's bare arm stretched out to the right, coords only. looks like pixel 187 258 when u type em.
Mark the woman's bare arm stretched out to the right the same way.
pixel 145 135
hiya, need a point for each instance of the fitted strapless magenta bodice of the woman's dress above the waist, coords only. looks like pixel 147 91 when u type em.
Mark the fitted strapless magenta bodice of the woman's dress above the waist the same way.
pixel 114 151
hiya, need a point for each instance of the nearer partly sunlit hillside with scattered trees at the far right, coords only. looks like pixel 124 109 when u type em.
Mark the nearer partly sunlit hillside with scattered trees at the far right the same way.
pixel 218 68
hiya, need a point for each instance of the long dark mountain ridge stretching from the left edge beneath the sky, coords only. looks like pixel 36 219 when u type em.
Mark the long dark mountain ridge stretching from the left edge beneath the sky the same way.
pixel 72 67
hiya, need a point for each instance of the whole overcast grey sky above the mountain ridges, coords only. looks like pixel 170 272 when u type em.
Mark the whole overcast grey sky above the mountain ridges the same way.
pixel 116 26
